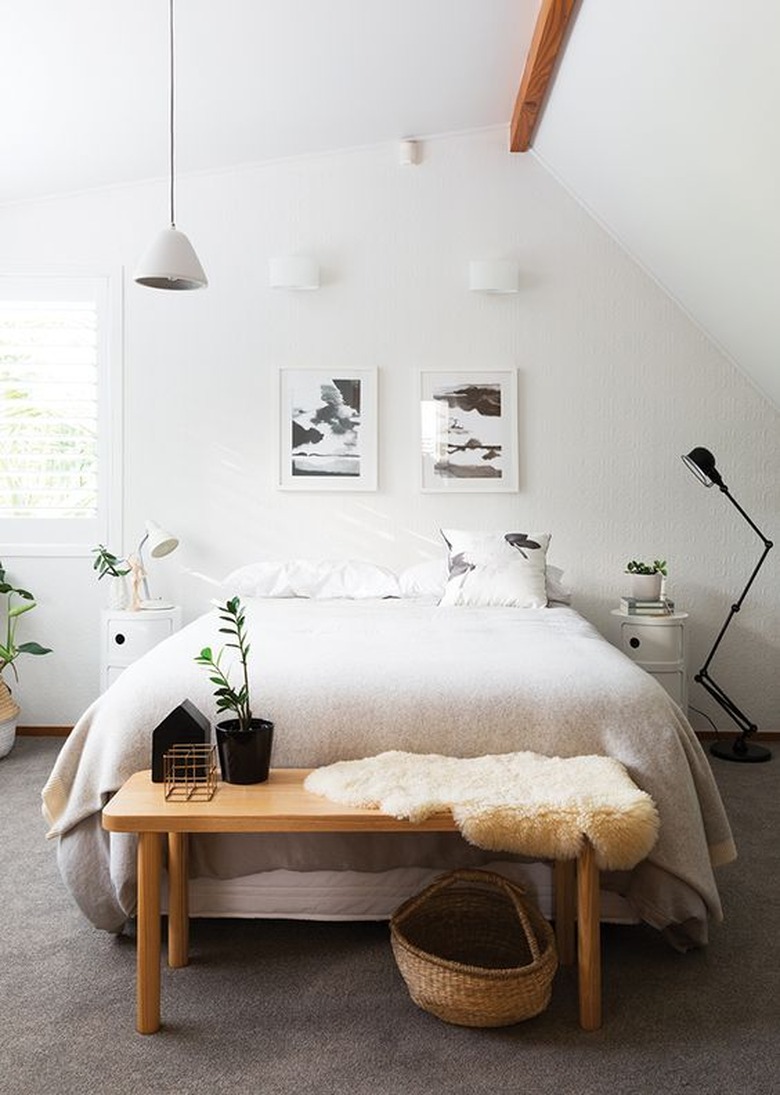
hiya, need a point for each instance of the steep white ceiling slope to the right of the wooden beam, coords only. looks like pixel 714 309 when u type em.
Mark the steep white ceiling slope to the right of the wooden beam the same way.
pixel 663 122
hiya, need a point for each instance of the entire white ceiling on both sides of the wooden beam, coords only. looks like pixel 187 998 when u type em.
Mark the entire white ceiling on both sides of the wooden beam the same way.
pixel 662 119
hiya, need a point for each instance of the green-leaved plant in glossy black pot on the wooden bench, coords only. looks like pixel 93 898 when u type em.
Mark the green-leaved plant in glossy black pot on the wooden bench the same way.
pixel 244 742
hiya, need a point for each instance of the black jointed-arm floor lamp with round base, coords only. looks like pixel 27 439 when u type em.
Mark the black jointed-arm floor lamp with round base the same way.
pixel 703 464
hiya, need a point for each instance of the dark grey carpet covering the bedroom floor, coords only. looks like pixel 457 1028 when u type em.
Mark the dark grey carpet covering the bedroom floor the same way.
pixel 272 1007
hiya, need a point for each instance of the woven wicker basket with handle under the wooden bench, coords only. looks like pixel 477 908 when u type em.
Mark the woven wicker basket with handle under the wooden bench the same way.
pixel 475 951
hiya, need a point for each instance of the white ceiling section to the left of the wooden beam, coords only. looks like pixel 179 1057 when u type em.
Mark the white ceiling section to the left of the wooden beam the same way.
pixel 85 83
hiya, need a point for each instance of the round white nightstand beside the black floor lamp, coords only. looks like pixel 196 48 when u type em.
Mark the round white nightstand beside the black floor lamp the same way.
pixel 658 644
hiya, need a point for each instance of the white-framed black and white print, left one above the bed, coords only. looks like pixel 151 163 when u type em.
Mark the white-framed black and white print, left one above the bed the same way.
pixel 328 430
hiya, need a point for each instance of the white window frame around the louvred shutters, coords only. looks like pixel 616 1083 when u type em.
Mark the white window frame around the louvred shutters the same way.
pixel 77 537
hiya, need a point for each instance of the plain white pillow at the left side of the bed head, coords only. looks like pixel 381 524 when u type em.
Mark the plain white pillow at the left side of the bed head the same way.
pixel 317 580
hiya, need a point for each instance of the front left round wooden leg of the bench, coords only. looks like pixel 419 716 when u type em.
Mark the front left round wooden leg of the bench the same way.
pixel 148 944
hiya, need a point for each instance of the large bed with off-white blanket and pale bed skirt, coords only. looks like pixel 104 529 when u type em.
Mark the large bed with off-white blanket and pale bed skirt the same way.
pixel 350 662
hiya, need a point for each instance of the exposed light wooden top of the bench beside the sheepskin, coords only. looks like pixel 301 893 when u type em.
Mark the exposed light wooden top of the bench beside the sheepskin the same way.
pixel 279 805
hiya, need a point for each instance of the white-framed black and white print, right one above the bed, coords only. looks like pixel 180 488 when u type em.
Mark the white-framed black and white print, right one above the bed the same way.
pixel 469 431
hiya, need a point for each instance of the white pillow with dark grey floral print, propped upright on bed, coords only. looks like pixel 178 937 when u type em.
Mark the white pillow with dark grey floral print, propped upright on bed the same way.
pixel 497 569
